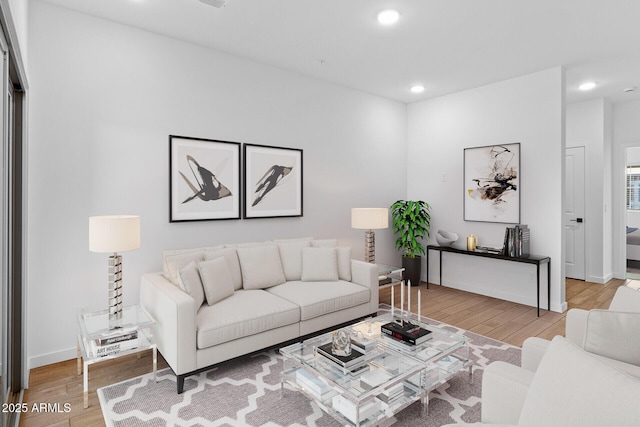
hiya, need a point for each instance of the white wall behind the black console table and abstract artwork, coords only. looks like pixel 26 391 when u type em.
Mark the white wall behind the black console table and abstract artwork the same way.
pixel 528 110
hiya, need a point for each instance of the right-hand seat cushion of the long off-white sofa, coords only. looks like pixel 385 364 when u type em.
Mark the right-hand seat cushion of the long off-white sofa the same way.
pixel 319 298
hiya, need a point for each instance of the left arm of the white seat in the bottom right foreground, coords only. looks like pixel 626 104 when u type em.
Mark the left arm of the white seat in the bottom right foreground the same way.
pixel 504 390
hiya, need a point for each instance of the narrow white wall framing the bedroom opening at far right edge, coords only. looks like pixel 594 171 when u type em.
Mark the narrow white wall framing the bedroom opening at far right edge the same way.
pixel 626 134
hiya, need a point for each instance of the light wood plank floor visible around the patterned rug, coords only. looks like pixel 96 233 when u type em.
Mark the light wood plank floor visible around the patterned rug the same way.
pixel 498 319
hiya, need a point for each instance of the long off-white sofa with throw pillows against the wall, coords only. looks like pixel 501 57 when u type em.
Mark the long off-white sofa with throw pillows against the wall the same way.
pixel 213 304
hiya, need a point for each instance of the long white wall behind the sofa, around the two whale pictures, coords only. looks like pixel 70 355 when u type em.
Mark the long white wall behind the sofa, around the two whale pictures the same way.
pixel 105 97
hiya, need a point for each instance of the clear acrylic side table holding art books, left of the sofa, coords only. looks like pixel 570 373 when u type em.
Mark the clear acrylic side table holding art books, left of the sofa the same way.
pixel 97 342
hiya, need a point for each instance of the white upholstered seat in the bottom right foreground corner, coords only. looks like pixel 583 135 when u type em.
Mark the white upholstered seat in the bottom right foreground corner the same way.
pixel 566 387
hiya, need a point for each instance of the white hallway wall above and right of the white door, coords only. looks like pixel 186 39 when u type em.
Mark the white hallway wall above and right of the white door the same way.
pixel 588 125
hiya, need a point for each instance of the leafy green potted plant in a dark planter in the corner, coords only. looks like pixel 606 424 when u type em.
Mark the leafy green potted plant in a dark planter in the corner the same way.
pixel 411 222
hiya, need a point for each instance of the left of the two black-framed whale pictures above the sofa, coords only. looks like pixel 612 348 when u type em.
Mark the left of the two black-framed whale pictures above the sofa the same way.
pixel 204 179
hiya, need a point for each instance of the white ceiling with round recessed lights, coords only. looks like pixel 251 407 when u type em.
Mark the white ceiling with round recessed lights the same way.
pixel 446 45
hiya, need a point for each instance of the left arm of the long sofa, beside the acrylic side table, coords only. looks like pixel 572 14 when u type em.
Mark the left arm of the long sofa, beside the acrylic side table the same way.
pixel 175 315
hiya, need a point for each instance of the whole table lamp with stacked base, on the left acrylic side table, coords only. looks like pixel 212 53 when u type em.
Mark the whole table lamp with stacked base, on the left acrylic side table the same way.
pixel 113 234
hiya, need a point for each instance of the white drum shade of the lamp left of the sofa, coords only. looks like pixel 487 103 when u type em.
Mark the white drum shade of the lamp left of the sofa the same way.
pixel 114 233
